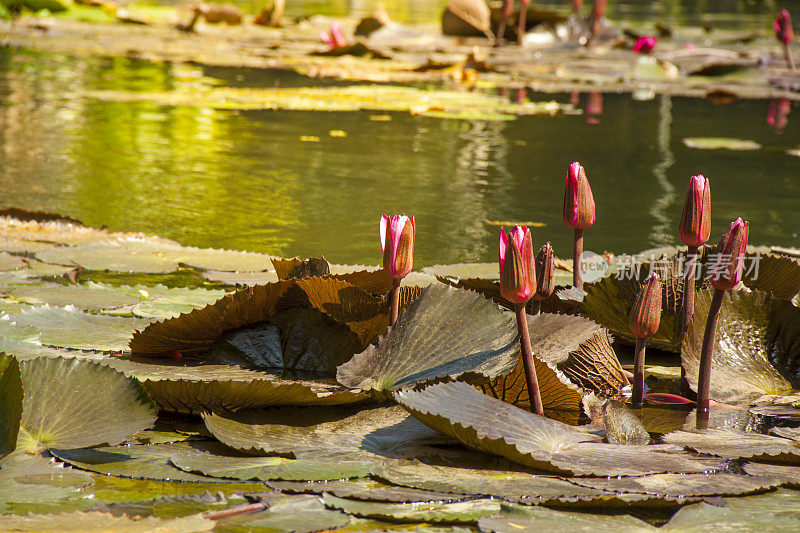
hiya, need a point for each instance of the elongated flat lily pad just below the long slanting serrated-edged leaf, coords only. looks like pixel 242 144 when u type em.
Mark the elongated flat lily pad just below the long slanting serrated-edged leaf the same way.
pixel 507 484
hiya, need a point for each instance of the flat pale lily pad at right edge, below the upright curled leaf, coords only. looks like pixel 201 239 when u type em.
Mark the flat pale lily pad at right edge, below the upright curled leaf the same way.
pixel 738 444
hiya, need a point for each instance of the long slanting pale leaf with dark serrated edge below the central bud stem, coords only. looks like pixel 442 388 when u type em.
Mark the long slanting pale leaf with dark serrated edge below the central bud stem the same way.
pixel 479 421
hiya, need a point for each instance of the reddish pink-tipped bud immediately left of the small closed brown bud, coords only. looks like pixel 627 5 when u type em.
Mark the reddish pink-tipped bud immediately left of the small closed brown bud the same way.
pixel 517 267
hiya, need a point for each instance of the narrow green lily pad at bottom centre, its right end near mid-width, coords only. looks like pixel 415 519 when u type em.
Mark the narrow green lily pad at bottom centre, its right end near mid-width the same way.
pixel 435 512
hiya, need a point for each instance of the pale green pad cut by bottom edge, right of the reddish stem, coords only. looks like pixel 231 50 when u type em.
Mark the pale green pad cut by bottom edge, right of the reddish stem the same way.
pixel 299 514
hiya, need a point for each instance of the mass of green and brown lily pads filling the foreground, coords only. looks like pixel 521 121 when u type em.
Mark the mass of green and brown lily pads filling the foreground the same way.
pixel 148 385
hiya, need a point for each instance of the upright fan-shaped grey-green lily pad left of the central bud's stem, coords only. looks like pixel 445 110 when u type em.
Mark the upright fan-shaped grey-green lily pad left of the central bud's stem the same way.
pixel 444 334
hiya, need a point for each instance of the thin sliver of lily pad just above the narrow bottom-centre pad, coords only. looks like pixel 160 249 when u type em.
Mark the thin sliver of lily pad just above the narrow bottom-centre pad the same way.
pixel 365 489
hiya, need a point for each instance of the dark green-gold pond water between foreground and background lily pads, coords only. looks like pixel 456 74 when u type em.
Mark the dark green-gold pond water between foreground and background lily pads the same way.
pixel 246 180
